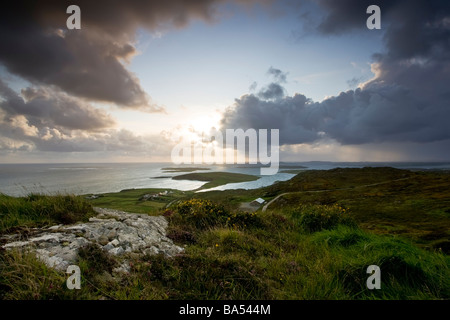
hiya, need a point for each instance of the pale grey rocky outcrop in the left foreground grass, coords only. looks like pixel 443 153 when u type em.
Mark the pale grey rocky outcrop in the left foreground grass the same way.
pixel 117 232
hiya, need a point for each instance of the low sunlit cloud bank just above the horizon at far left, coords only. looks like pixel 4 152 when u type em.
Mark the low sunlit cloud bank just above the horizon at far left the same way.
pixel 43 120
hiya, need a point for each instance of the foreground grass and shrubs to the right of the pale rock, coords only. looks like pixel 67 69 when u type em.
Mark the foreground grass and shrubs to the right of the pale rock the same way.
pixel 283 261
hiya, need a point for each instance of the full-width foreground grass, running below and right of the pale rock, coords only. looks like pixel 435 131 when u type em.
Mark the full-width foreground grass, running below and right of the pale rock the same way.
pixel 268 258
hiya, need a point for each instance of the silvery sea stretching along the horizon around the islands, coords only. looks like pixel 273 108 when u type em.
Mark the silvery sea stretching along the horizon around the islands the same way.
pixel 97 178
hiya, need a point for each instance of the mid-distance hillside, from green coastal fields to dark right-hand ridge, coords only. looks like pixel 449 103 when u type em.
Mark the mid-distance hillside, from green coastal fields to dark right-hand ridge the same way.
pixel 413 205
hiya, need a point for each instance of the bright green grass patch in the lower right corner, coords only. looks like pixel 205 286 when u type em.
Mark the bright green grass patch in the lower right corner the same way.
pixel 407 271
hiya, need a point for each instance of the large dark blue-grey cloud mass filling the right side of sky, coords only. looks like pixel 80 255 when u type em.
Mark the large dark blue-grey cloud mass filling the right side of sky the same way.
pixel 408 100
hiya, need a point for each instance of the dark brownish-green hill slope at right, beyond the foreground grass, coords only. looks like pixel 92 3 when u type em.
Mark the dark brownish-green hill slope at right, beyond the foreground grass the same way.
pixel 417 207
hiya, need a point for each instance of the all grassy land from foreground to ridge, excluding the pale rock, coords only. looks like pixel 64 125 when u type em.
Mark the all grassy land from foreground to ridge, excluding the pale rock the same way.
pixel 314 242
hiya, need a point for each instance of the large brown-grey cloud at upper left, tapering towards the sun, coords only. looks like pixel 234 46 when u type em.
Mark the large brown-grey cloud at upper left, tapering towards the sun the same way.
pixel 82 64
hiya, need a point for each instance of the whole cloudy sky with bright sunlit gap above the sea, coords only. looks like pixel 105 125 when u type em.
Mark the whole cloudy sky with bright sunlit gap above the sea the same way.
pixel 139 75
